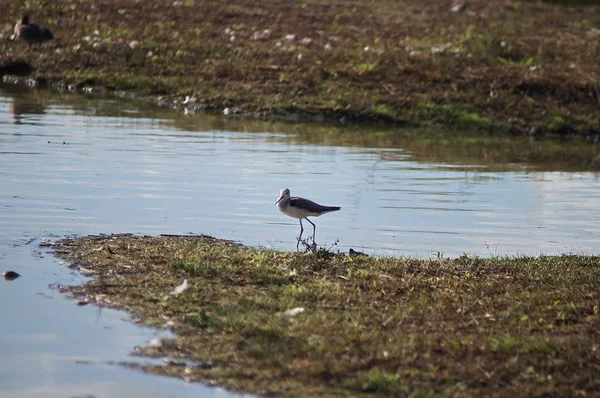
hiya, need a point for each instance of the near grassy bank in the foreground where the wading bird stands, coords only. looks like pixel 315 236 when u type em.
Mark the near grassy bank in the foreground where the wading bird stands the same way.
pixel 300 324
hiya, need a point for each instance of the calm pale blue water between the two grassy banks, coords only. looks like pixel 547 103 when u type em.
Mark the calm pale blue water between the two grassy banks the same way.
pixel 75 165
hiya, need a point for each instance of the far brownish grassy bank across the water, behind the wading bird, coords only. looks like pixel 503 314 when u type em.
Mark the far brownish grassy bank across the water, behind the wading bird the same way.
pixel 501 65
